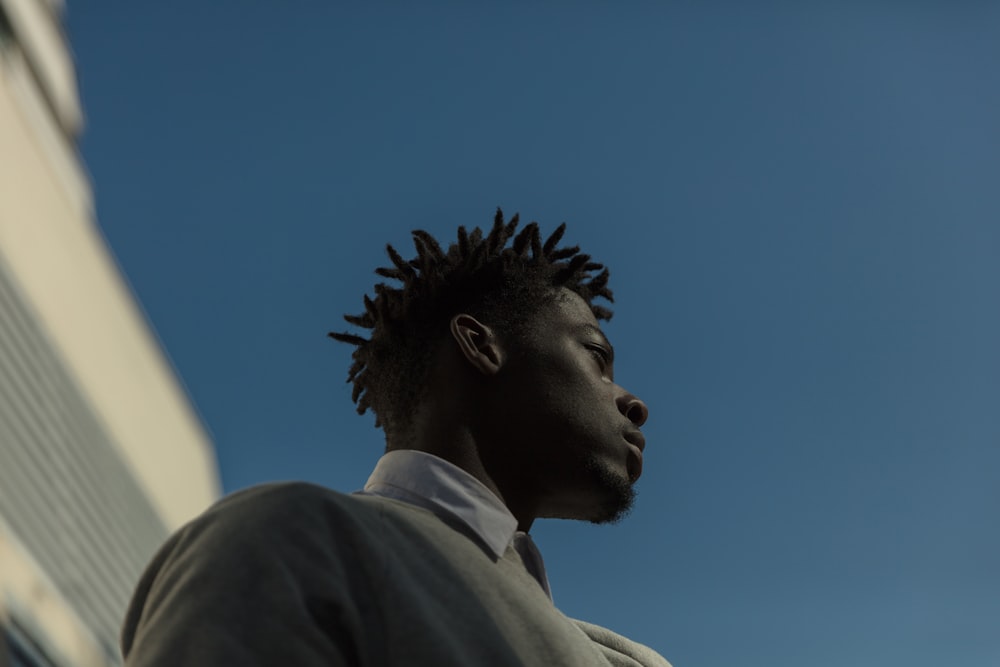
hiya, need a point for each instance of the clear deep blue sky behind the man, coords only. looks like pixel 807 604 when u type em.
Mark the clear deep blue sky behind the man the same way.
pixel 801 211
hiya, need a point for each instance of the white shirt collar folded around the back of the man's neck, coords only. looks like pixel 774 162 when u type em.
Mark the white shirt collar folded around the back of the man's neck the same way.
pixel 431 482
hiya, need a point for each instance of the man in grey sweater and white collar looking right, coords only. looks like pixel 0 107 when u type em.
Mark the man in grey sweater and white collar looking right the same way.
pixel 494 385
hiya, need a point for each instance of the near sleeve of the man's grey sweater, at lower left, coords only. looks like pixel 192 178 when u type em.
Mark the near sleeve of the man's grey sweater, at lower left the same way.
pixel 260 580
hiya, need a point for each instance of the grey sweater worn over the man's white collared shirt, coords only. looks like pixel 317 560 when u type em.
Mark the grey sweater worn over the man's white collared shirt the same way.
pixel 299 575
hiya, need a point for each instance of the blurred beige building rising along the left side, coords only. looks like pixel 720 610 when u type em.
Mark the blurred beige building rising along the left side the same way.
pixel 101 451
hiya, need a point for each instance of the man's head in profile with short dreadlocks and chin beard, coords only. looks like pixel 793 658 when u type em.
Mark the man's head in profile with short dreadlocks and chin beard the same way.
pixel 512 333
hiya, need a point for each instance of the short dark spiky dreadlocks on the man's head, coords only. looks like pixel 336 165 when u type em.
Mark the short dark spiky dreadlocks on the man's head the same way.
pixel 478 275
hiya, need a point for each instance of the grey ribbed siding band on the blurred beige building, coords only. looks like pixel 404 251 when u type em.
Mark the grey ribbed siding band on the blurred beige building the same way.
pixel 64 490
